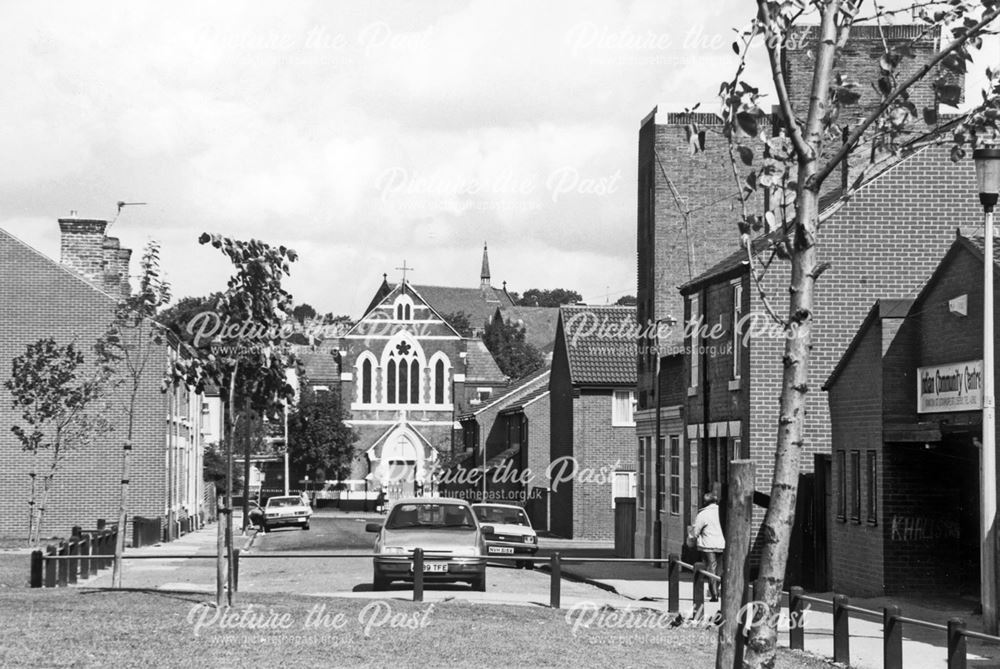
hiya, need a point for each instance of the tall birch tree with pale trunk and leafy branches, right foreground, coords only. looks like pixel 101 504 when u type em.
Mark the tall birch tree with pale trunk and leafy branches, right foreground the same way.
pixel 790 169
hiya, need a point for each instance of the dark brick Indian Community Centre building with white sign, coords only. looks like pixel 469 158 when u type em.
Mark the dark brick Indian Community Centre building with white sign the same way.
pixel 905 404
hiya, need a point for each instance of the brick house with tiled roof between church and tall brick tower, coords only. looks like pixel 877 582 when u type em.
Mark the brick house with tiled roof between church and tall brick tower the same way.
pixel 592 394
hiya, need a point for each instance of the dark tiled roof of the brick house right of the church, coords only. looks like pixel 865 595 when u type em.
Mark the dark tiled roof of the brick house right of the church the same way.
pixel 600 342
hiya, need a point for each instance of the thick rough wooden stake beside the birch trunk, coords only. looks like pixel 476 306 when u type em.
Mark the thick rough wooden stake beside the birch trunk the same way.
pixel 739 507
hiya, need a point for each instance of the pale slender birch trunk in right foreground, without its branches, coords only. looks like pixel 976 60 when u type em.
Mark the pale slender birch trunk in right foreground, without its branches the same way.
pixel 775 533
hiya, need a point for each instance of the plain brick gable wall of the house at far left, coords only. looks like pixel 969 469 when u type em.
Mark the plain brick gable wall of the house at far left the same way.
pixel 38 298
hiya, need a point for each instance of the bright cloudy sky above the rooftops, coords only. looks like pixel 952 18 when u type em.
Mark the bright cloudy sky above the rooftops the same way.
pixel 361 134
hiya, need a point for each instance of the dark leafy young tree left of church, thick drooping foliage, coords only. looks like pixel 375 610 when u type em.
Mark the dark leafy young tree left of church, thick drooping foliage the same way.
pixel 254 365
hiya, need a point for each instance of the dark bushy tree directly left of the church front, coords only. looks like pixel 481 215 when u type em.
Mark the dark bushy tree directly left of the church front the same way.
pixel 318 440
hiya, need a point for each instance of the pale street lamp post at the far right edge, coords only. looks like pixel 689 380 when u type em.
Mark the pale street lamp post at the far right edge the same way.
pixel 988 182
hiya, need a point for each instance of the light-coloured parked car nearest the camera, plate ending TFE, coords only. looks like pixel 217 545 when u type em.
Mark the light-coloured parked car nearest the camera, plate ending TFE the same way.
pixel 447 531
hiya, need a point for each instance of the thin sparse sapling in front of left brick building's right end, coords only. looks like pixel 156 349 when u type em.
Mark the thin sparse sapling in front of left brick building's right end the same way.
pixel 126 351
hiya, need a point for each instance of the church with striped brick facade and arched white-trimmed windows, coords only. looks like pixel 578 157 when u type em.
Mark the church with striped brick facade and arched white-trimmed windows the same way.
pixel 406 374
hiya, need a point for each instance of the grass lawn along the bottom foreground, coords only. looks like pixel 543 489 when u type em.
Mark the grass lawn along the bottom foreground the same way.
pixel 84 628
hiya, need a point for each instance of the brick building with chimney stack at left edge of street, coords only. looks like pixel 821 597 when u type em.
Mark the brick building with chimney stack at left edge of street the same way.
pixel 74 302
